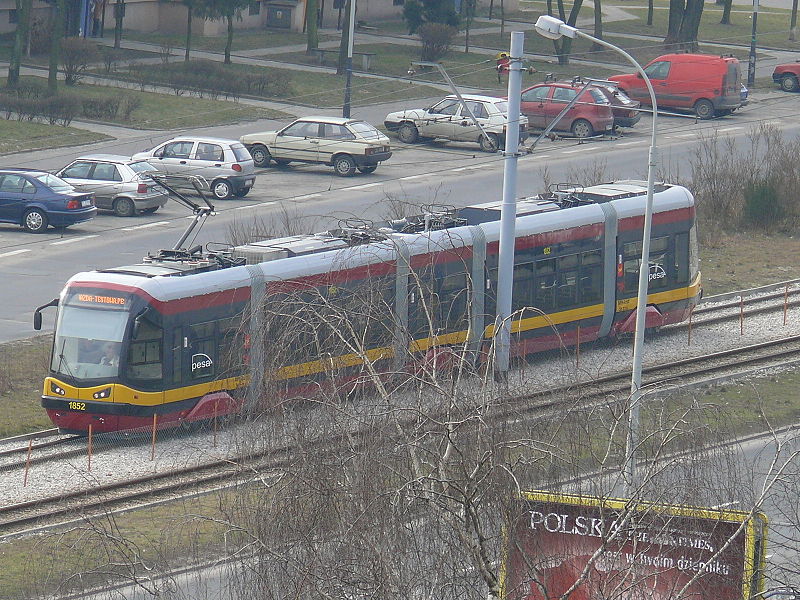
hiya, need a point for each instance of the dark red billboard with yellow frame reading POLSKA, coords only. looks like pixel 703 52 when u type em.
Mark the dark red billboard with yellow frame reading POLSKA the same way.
pixel 588 548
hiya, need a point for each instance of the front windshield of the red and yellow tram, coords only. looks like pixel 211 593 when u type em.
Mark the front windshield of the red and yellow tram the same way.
pixel 88 342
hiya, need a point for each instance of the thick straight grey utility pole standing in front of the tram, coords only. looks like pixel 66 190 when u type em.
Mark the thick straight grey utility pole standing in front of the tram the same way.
pixel 508 210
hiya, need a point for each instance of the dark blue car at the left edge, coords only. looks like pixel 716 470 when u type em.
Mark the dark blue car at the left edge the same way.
pixel 37 199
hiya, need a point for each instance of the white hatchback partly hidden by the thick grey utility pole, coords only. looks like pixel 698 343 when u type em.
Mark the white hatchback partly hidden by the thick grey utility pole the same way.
pixel 448 119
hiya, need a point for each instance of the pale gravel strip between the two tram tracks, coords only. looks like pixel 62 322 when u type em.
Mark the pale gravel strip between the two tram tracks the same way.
pixel 121 457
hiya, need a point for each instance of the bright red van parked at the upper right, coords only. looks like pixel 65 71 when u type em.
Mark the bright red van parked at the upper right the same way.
pixel 706 84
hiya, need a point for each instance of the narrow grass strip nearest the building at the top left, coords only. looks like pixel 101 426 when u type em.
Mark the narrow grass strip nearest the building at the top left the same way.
pixel 242 40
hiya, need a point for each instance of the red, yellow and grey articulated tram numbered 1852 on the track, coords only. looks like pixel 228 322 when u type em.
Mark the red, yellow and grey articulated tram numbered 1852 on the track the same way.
pixel 181 336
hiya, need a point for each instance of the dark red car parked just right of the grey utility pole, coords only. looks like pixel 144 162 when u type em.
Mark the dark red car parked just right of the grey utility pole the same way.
pixel 590 115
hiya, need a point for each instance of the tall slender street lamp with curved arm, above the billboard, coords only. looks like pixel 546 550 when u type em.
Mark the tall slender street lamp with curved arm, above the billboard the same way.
pixel 553 28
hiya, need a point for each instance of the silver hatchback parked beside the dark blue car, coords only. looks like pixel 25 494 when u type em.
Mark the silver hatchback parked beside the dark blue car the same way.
pixel 117 182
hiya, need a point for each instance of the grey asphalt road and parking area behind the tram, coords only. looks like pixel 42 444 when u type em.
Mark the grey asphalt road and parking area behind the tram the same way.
pixel 310 198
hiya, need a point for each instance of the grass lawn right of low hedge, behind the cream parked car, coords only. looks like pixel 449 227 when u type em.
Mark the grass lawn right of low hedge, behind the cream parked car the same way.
pixel 326 90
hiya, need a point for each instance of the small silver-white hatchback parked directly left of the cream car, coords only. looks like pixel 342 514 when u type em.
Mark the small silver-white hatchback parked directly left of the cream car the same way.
pixel 225 164
